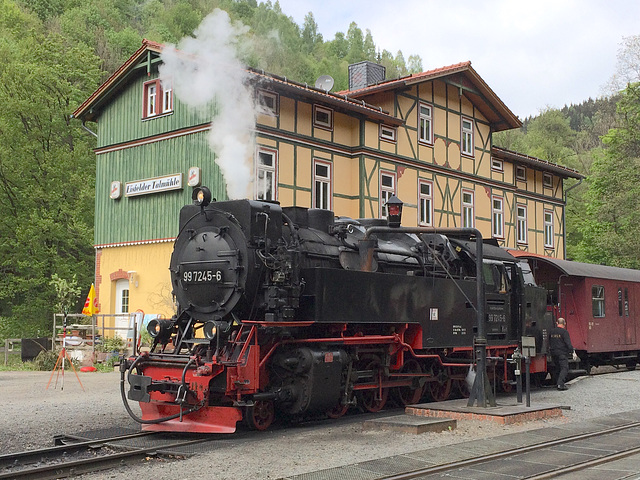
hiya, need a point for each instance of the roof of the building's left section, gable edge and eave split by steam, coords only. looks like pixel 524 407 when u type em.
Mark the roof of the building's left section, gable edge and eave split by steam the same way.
pixel 151 50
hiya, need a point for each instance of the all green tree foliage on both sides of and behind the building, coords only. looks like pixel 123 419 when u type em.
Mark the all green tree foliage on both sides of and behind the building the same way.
pixel 54 54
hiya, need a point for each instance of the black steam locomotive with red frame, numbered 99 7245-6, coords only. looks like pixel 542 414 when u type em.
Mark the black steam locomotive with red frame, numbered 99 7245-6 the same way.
pixel 293 311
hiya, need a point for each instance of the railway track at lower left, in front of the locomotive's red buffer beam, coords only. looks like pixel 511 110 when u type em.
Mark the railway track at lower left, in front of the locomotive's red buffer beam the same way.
pixel 80 457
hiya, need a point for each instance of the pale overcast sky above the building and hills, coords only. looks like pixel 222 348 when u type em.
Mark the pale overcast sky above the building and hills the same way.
pixel 533 53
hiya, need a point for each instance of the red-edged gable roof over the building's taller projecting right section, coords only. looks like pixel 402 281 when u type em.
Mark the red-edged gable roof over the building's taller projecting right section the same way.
pixel 466 79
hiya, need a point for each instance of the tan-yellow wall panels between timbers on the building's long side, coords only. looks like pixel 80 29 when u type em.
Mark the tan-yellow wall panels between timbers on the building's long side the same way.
pixel 356 192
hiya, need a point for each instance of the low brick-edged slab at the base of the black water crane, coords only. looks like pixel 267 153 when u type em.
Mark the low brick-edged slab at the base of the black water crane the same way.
pixel 504 412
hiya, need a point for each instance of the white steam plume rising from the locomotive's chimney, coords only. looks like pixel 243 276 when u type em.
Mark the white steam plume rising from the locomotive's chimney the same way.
pixel 206 74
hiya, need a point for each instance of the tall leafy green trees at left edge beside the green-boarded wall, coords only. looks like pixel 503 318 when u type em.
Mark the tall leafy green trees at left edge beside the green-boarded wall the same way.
pixel 46 170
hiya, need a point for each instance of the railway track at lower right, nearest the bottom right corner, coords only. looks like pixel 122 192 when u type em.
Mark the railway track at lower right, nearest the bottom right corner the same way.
pixel 544 468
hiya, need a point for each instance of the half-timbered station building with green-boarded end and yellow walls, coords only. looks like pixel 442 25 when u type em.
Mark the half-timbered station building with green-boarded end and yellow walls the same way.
pixel 426 138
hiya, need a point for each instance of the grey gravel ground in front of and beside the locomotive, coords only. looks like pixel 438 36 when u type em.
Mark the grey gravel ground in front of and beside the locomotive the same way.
pixel 33 414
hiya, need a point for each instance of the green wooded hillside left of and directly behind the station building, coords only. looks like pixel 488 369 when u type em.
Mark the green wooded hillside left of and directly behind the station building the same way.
pixel 54 53
